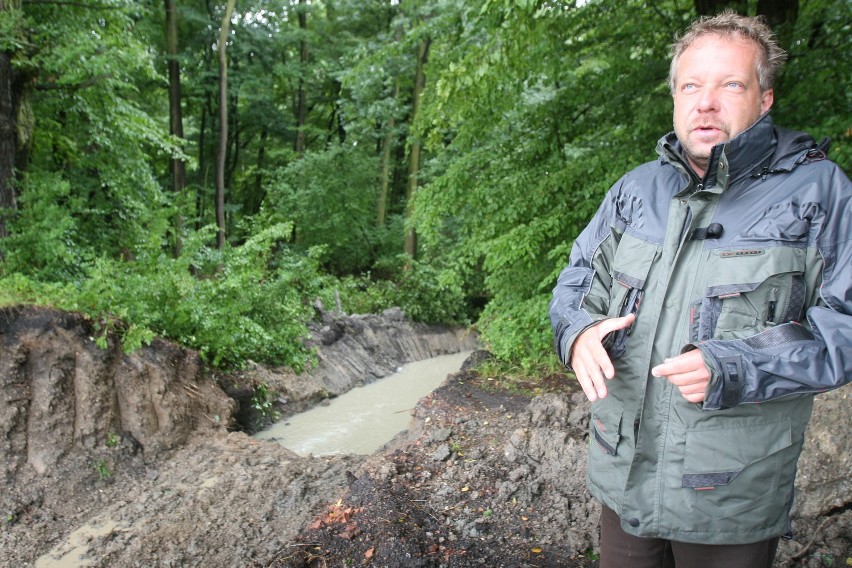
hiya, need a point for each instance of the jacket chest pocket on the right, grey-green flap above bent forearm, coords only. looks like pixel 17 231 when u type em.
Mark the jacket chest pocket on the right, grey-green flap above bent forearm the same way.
pixel 749 291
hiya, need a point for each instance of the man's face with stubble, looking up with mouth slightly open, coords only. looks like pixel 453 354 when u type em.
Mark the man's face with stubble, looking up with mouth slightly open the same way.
pixel 717 94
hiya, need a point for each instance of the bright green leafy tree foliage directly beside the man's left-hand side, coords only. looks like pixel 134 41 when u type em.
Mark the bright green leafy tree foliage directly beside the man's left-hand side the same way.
pixel 514 185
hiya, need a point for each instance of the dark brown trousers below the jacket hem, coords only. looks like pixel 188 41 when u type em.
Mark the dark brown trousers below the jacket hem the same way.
pixel 622 550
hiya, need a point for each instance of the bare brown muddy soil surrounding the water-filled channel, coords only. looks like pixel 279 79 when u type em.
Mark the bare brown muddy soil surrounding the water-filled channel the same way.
pixel 118 460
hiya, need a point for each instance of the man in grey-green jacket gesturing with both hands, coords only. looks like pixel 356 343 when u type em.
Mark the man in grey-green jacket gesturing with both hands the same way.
pixel 703 306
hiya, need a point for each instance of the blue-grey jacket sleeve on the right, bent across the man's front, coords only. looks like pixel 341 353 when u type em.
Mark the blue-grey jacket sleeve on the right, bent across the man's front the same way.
pixel 796 358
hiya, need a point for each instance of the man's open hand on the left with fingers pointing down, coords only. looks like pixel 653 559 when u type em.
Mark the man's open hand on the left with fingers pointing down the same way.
pixel 589 358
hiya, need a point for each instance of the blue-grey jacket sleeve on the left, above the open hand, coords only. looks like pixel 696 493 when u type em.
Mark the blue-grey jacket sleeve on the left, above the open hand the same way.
pixel 581 296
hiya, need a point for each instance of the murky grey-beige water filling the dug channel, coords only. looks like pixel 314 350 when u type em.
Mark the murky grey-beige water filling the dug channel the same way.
pixel 365 418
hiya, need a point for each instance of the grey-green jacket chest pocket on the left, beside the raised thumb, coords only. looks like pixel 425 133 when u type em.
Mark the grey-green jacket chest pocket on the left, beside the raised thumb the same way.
pixel 630 268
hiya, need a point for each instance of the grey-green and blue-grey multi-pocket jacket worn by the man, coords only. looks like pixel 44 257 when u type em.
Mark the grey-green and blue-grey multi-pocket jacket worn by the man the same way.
pixel 753 266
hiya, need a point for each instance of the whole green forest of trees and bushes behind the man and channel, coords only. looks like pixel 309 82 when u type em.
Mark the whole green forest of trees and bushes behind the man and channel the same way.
pixel 206 170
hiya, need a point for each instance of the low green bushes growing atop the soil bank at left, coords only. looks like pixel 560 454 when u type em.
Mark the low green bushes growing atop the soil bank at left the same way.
pixel 247 302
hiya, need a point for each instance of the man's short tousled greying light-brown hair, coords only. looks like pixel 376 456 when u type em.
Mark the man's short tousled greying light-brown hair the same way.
pixel 732 25
